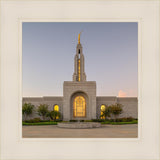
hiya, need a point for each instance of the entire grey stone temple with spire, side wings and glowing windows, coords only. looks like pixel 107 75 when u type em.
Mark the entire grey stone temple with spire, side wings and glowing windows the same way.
pixel 79 101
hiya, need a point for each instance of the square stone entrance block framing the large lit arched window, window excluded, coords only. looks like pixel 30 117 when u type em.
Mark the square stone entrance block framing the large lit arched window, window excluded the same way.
pixel 72 89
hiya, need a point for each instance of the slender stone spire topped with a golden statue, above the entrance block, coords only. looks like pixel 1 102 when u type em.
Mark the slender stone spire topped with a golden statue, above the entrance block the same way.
pixel 79 73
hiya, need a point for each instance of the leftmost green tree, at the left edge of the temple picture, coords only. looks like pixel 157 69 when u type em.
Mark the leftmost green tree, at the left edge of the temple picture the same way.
pixel 27 110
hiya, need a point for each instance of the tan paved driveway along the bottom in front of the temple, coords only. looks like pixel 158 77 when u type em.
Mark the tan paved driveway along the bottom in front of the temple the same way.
pixel 106 131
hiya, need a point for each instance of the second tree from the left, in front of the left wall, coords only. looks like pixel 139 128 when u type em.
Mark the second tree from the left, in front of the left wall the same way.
pixel 42 110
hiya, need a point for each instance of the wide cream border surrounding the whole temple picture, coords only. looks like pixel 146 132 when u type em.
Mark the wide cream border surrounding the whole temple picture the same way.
pixel 16 16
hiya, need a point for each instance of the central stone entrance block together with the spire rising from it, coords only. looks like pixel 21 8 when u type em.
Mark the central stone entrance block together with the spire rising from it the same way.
pixel 79 95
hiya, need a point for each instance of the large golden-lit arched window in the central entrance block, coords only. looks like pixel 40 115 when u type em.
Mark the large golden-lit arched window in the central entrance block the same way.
pixel 79 106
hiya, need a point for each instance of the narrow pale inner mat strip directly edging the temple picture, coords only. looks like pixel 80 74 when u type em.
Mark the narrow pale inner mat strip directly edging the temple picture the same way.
pixel 139 79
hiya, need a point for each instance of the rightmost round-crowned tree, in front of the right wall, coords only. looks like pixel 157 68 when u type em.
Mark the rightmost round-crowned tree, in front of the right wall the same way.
pixel 116 110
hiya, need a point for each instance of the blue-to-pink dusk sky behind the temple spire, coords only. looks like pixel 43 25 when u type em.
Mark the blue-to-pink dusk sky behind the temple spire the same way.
pixel 110 50
